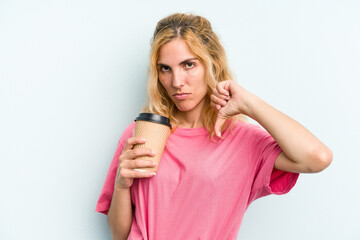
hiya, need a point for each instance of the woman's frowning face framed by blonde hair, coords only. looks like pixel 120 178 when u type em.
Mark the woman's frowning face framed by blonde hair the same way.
pixel 182 75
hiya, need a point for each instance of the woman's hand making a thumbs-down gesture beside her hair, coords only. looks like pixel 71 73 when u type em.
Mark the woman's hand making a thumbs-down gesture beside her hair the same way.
pixel 229 99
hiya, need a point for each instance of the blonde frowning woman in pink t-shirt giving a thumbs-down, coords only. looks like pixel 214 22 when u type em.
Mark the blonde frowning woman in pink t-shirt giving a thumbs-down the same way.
pixel 213 165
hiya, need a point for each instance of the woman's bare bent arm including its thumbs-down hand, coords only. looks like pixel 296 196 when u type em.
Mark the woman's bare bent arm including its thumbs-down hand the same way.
pixel 302 151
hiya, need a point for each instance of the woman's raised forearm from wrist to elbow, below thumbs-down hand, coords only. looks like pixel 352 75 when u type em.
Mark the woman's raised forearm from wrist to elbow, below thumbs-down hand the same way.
pixel 297 143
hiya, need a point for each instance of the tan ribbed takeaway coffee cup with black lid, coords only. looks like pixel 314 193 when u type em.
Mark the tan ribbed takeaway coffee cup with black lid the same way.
pixel 155 129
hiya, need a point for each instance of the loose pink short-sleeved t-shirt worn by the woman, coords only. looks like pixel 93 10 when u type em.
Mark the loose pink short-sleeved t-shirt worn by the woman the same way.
pixel 202 188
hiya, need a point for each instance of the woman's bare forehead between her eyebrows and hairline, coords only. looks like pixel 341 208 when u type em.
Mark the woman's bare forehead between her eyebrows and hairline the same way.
pixel 174 52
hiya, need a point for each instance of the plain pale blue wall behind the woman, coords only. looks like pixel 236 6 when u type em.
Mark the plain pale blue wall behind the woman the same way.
pixel 72 77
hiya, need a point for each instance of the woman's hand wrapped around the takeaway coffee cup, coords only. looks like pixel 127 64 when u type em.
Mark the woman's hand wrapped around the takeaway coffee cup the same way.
pixel 125 173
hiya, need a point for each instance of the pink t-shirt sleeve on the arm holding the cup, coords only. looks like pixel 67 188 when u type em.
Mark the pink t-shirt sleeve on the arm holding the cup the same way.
pixel 106 194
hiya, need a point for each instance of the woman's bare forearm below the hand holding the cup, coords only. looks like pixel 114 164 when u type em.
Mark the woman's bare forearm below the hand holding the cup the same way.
pixel 120 214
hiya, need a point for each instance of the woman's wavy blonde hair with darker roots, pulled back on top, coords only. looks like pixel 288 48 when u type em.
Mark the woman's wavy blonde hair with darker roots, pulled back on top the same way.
pixel 197 33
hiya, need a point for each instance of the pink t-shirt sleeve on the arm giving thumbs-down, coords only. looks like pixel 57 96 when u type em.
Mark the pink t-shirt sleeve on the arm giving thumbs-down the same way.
pixel 268 180
